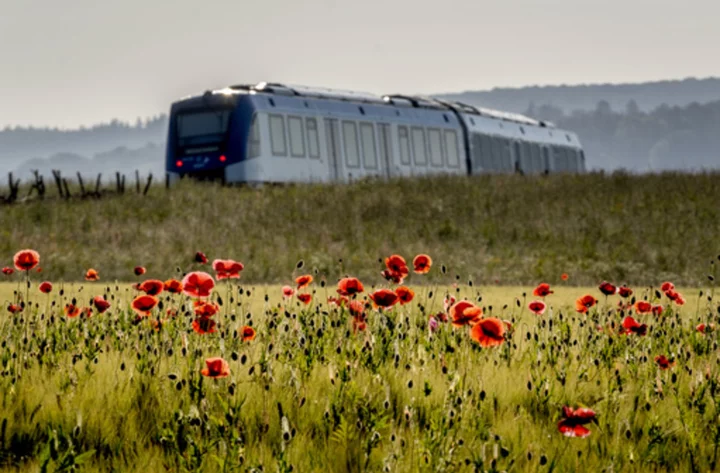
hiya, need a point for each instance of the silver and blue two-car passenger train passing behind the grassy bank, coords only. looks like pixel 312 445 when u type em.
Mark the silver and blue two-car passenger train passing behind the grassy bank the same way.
pixel 275 133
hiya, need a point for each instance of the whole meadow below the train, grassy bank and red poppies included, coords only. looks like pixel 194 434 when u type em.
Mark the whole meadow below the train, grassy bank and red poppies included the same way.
pixel 122 349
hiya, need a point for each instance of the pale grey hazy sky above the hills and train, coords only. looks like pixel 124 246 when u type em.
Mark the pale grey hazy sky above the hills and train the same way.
pixel 71 62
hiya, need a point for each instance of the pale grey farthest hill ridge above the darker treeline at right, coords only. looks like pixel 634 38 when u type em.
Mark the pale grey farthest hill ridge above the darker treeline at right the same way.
pixel 648 95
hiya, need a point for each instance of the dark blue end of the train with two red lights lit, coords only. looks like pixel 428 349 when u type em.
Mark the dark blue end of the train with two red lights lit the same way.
pixel 206 134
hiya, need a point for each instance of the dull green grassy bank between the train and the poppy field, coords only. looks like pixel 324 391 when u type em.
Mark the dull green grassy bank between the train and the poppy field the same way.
pixel 506 230
